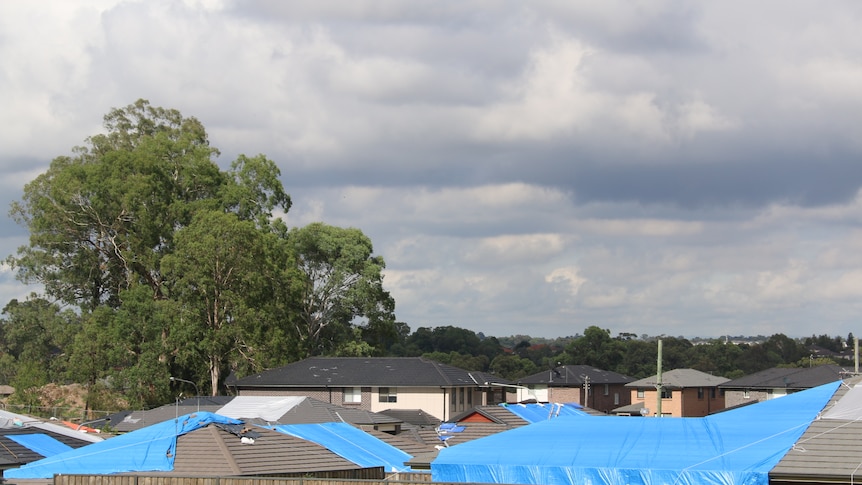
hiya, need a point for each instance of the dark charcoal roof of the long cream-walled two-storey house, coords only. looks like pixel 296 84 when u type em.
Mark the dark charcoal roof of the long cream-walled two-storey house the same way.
pixel 366 371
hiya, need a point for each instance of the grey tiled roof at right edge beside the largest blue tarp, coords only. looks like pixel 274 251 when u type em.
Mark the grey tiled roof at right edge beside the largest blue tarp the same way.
pixel 829 451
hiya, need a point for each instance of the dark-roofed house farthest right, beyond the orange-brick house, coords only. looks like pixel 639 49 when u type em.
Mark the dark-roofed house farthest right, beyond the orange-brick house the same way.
pixel 777 382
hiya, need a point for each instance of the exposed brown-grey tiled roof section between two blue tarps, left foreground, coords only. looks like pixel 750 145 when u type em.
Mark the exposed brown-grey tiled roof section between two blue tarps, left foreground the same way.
pixel 213 451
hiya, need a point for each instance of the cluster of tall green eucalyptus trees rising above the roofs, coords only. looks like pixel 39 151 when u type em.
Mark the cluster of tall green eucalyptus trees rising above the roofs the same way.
pixel 175 267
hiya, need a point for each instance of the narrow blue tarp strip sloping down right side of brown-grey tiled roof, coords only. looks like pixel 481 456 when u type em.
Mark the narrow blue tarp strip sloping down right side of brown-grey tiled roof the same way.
pixel 351 444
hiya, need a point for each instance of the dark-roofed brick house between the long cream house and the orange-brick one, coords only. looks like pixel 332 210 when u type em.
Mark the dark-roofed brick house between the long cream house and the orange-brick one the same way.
pixel 581 384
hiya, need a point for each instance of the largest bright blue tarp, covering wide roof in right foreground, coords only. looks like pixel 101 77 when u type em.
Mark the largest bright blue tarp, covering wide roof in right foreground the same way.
pixel 734 447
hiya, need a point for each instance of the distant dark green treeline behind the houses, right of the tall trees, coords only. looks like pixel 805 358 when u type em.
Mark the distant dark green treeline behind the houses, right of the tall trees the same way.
pixel 518 356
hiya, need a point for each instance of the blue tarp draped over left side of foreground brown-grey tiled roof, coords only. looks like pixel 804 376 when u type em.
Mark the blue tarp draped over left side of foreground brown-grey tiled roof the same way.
pixel 147 449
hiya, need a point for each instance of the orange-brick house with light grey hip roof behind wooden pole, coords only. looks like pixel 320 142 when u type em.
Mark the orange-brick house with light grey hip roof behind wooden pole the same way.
pixel 684 393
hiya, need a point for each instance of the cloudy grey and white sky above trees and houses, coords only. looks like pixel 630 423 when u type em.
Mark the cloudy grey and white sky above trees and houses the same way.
pixel 531 168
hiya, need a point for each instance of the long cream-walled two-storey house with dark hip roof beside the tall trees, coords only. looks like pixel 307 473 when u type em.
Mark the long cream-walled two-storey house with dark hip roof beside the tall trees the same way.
pixel 379 383
